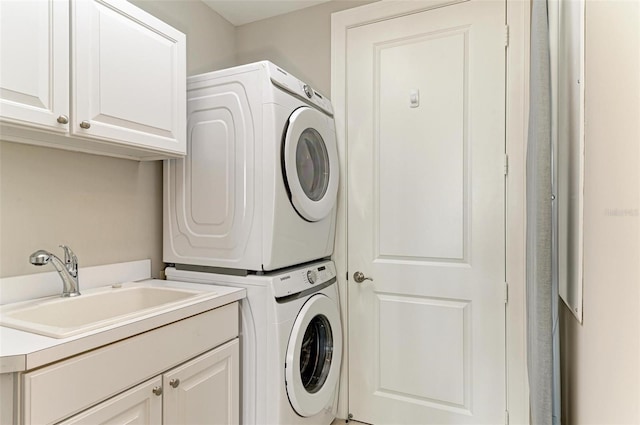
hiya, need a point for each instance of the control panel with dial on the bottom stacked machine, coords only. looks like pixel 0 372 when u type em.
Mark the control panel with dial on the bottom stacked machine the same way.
pixel 303 279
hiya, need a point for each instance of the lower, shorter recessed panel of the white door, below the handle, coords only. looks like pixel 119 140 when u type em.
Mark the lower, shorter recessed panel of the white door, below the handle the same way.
pixel 449 358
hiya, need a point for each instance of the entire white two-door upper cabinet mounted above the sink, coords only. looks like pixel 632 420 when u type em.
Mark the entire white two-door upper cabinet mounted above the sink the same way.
pixel 105 76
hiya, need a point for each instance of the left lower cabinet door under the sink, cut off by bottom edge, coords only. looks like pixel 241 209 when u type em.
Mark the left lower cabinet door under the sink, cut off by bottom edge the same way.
pixel 139 405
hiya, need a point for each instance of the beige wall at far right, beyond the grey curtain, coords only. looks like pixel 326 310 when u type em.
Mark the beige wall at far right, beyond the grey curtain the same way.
pixel 601 357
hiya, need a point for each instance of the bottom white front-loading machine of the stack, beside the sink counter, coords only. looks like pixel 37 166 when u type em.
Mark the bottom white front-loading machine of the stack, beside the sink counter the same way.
pixel 291 342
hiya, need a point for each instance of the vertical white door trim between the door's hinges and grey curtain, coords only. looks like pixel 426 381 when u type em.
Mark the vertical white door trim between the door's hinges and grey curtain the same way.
pixel 518 19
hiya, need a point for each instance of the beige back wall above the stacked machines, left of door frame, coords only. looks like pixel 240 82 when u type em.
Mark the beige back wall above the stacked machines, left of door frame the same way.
pixel 299 42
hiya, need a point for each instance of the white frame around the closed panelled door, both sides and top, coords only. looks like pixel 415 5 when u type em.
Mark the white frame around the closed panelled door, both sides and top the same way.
pixel 517 101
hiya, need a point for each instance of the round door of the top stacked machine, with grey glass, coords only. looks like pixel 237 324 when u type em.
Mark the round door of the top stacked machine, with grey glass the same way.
pixel 310 163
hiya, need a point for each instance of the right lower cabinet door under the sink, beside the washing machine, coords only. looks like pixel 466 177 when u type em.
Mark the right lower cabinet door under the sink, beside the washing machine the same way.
pixel 204 390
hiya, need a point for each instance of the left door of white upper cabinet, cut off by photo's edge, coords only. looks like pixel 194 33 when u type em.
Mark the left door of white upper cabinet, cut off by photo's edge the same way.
pixel 34 70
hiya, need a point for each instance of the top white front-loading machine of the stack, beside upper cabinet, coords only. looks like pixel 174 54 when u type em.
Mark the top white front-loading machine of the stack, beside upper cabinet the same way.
pixel 258 187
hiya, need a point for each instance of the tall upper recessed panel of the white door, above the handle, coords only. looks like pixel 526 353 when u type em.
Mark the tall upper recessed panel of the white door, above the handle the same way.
pixel 447 205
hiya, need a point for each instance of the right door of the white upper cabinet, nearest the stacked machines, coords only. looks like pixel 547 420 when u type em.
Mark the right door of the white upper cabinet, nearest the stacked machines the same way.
pixel 128 76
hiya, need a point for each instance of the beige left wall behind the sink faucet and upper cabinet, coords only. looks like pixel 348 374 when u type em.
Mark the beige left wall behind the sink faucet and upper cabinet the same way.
pixel 106 209
